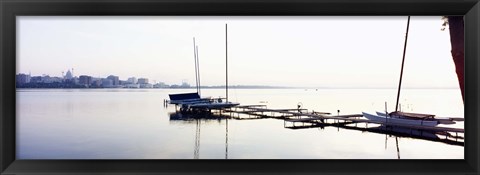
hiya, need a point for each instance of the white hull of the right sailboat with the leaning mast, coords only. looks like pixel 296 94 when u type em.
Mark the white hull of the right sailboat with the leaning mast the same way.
pixel 396 120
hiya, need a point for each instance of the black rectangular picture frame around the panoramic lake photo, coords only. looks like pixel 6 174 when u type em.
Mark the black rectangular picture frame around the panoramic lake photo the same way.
pixel 9 9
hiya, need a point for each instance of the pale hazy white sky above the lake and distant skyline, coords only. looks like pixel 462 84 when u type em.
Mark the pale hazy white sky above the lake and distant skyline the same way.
pixel 277 51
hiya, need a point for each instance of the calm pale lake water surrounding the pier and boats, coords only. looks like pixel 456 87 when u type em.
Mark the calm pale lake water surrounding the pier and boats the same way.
pixel 134 124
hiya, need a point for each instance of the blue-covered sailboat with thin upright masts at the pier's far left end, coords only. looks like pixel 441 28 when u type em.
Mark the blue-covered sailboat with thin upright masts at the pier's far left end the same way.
pixel 192 101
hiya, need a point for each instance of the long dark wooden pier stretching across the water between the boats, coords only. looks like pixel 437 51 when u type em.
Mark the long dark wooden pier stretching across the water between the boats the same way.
pixel 303 118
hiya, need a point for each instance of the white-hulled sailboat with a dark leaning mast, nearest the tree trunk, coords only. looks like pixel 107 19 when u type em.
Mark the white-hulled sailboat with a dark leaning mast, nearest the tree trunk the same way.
pixel 398 117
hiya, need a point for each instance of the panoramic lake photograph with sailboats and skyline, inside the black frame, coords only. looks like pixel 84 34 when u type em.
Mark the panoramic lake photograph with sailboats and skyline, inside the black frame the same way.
pixel 239 87
